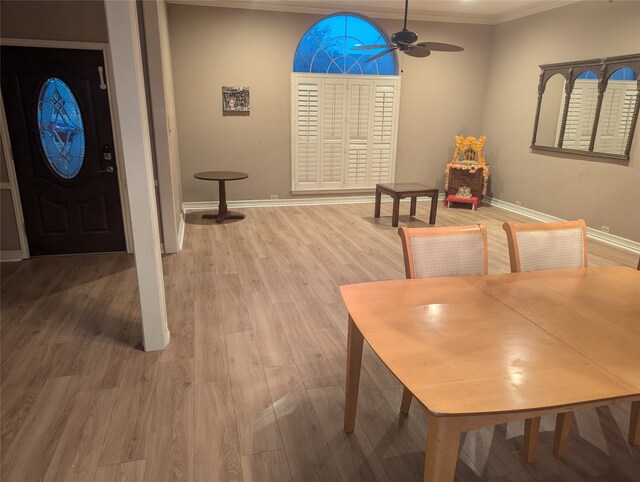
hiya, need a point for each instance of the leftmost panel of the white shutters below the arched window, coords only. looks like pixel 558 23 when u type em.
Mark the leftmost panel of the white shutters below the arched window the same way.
pixel 306 134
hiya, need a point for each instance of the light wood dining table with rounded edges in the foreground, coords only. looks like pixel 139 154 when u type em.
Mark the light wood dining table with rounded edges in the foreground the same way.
pixel 484 350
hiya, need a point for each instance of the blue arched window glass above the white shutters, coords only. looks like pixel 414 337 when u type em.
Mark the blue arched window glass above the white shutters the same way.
pixel 327 48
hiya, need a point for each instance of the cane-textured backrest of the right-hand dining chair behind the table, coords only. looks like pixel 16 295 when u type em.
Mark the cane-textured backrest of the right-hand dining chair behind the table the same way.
pixel 539 246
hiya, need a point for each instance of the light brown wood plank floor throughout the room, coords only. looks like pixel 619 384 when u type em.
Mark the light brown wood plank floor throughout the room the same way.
pixel 251 387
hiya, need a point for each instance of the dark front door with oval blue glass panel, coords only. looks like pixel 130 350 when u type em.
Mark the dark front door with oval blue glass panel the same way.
pixel 59 124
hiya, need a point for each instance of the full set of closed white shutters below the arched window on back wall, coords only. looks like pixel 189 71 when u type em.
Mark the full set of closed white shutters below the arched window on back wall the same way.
pixel 344 131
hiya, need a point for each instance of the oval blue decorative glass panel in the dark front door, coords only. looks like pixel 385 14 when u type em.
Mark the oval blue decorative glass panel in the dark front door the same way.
pixel 61 128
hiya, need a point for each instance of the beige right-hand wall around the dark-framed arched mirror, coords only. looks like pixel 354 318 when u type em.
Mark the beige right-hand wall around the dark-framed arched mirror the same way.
pixel 600 191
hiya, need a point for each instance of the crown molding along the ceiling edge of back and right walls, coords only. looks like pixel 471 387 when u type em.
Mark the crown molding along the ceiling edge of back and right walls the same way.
pixel 381 13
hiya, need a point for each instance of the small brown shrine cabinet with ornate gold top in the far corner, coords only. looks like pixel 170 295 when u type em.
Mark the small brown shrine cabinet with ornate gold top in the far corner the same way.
pixel 471 171
